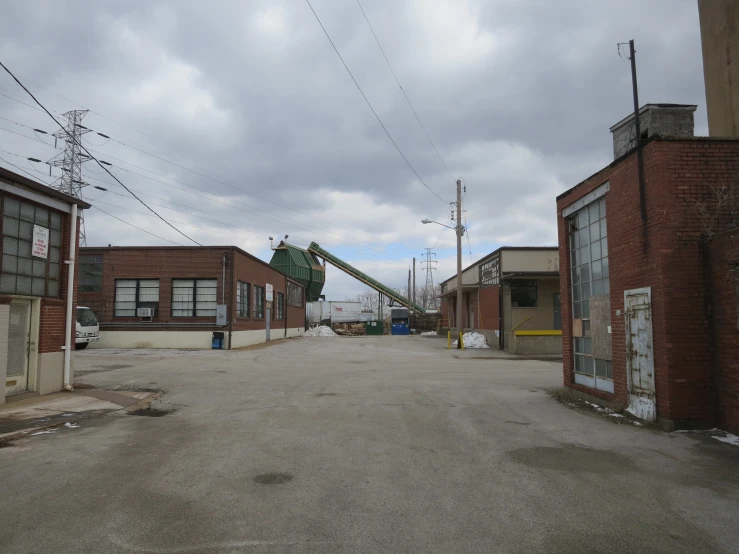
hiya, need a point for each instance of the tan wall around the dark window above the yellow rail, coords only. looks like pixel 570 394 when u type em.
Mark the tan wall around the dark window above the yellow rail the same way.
pixel 541 317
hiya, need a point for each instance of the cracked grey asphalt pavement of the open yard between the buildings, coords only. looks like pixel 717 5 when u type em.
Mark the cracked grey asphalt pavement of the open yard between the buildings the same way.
pixel 375 444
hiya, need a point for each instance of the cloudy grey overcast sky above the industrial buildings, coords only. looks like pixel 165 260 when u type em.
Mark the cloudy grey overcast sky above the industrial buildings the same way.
pixel 269 136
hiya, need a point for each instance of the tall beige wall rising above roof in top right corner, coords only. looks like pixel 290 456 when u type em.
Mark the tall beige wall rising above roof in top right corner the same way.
pixel 719 22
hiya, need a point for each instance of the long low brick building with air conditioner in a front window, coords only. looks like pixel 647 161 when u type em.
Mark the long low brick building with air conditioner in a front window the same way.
pixel 184 297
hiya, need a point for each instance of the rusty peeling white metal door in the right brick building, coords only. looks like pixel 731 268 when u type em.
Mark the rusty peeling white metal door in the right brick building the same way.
pixel 640 353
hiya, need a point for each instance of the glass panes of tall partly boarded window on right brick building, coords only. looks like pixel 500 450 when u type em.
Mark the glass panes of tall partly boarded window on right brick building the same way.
pixel 588 244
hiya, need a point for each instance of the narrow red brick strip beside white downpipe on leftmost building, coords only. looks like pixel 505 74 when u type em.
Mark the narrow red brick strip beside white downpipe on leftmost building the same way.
pixel 52 322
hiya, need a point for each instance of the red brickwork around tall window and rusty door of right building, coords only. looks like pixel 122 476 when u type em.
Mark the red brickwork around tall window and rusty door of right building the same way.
pixel 666 255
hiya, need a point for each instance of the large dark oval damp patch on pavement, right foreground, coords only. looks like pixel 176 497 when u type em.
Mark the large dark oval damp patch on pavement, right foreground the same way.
pixel 573 458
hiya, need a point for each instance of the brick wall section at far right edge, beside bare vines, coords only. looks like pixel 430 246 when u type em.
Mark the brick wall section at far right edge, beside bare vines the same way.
pixel 723 262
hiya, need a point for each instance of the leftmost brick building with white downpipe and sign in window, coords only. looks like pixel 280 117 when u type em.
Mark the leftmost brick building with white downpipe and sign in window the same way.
pixel 36 228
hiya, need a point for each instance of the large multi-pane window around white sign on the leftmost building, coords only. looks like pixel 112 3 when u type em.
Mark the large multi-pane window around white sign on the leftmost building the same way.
pixel 21 272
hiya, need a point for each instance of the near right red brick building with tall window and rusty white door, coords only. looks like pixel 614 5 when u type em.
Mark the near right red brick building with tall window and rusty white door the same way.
pixel 636 281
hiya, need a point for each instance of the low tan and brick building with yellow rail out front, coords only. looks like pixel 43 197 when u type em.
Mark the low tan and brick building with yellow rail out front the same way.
pixel 512 297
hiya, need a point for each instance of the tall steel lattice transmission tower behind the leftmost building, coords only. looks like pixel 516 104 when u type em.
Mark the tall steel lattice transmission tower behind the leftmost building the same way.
pixel 71 160
